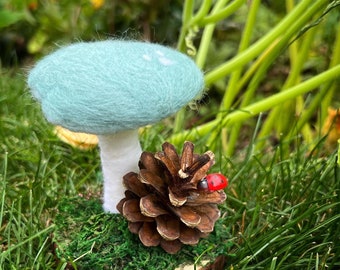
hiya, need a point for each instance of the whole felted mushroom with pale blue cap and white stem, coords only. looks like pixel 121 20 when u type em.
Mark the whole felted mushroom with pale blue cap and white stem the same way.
pixel 110 88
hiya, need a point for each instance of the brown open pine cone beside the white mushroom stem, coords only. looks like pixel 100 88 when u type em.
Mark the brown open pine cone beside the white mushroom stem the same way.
pixel 163 202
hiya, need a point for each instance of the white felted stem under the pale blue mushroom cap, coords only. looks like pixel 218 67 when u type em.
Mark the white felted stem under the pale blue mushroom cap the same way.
pixel 119 153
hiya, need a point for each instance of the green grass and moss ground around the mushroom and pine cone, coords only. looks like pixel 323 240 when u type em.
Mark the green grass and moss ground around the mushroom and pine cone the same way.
pixel 282 212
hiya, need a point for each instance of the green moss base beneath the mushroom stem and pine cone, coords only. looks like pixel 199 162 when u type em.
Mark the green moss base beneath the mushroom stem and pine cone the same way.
pixel 87 238
